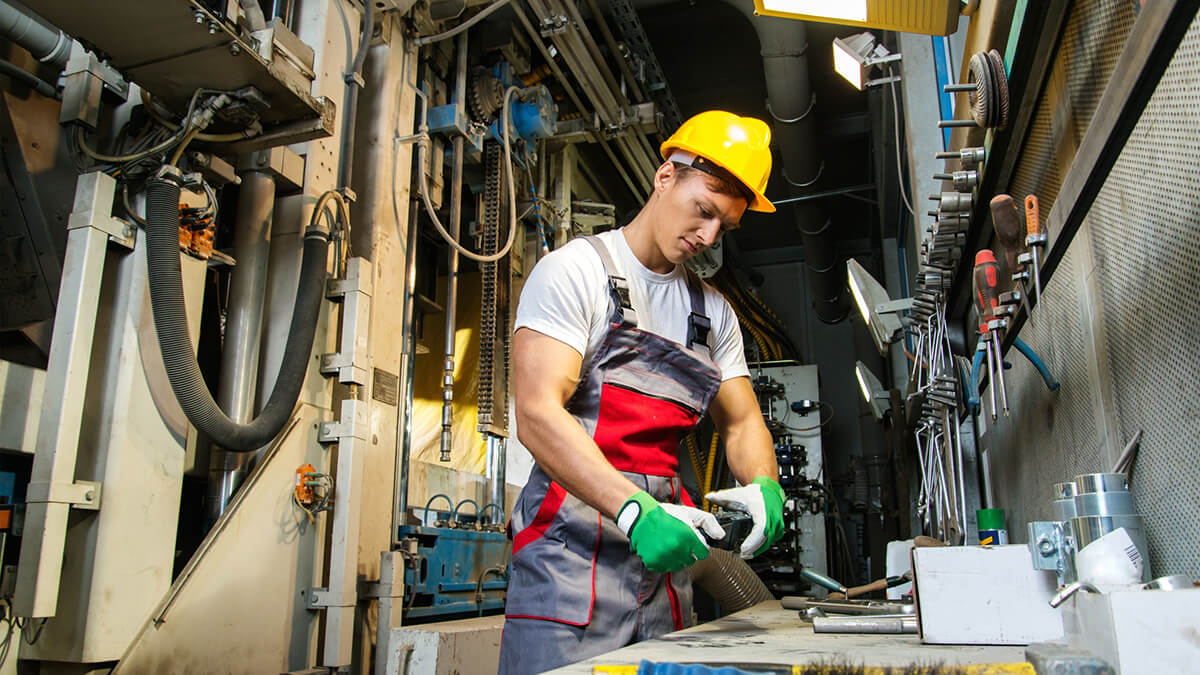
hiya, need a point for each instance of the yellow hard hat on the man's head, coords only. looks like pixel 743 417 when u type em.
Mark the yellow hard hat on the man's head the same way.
pixel 740 146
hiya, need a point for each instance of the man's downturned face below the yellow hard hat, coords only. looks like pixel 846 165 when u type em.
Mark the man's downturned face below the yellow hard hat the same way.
pixel 693 217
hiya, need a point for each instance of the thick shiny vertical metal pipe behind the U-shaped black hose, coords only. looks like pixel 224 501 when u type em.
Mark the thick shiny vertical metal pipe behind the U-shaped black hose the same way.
pixel 244 331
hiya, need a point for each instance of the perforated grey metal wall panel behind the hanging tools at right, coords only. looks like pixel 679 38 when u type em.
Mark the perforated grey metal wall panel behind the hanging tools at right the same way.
pixel 1118 326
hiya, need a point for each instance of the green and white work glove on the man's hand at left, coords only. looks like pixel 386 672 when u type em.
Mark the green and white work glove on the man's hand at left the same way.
pixel 667 536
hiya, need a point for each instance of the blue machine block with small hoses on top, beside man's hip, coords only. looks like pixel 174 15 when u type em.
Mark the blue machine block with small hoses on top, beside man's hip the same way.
pixel 455 572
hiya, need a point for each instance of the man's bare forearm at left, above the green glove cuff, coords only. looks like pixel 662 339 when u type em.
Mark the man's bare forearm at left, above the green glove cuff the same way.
pixel 571 457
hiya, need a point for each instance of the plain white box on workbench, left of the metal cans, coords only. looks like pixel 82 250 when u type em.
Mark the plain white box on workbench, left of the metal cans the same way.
pixel 983 596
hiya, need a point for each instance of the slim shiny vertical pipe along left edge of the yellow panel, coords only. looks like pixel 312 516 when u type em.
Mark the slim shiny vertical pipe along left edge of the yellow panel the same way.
pixel 405 408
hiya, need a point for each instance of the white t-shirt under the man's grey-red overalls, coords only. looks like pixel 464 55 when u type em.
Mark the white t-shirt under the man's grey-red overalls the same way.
pixel 567 298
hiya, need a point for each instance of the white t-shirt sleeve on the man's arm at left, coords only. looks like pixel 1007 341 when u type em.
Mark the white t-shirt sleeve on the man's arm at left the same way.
pixel 561 295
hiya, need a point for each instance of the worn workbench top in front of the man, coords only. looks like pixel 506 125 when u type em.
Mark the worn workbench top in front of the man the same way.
pixel 769 634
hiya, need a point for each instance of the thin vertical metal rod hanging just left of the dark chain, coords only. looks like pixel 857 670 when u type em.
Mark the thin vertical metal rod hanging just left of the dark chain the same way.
pixel 453 260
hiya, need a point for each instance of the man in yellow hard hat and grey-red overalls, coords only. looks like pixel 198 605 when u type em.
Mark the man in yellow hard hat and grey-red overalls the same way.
pixel 619 350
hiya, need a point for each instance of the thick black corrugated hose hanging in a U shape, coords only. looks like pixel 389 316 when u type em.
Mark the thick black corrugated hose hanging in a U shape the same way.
pixel 179 357
